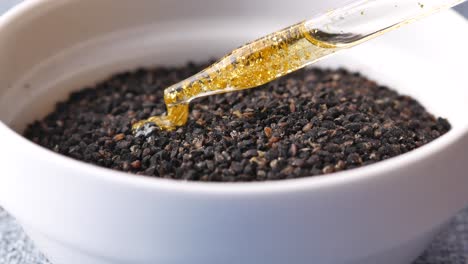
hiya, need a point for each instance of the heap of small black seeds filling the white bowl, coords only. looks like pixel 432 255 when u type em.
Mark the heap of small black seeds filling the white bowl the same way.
pixel 311 122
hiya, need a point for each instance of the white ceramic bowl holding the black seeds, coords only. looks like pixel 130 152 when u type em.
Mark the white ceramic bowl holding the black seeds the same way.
pixel 80 213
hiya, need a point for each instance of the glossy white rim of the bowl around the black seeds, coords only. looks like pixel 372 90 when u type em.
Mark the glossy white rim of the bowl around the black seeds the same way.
pixel 97 173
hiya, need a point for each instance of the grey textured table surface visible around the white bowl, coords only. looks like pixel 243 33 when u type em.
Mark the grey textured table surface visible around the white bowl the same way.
pixel 451 247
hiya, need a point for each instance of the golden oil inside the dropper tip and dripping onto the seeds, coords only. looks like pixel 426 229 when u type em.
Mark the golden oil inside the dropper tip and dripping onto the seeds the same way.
pixel 249 66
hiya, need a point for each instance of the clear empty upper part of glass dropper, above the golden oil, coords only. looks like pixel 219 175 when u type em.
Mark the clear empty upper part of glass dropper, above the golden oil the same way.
pixel 366 19
